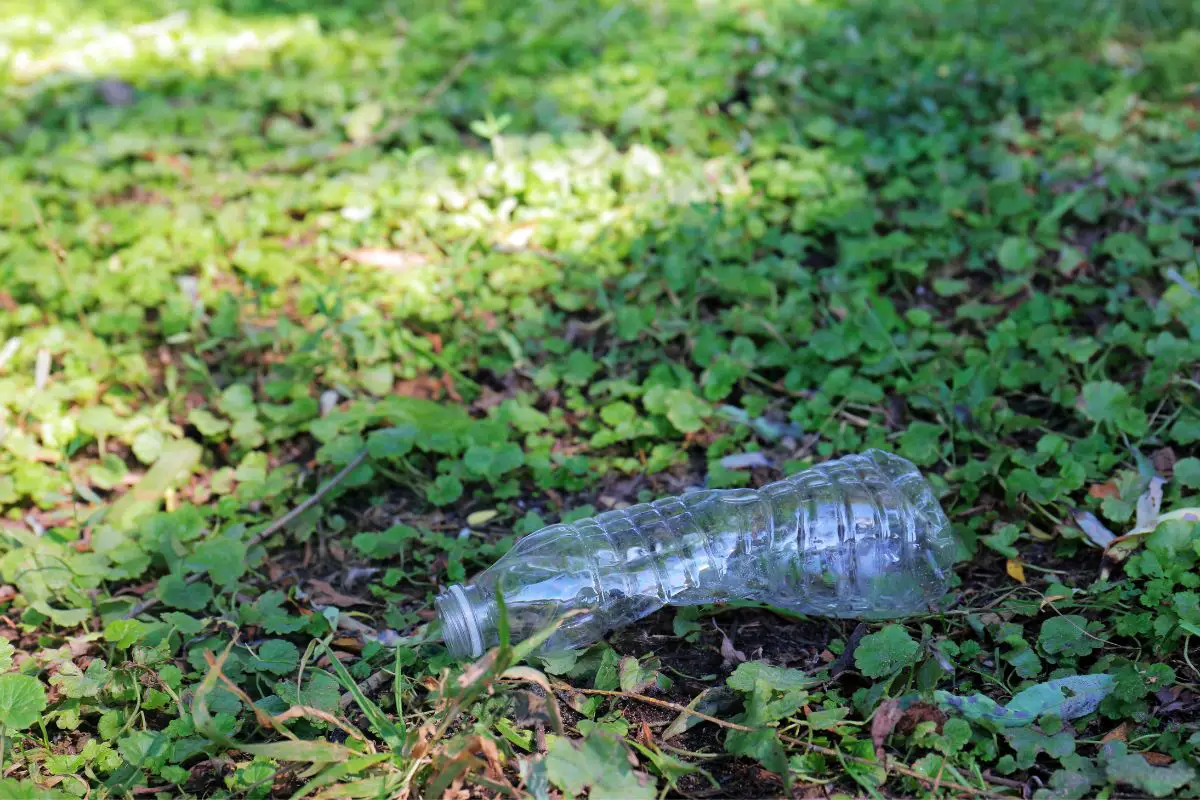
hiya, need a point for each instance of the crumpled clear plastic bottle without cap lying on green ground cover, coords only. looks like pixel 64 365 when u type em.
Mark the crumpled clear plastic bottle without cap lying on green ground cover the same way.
pixel 862 537
